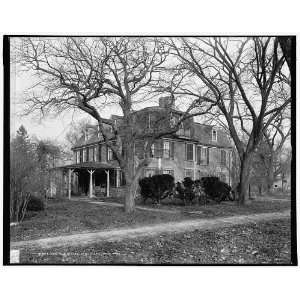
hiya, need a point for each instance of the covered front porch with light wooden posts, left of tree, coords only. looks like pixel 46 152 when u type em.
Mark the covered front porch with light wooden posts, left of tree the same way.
pixel 92 180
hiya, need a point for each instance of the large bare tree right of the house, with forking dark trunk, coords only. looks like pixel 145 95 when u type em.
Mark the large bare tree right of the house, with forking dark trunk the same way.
pixel 240 76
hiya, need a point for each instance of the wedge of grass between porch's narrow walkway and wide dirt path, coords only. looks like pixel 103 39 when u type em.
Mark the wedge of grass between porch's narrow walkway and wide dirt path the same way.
pixel 67 217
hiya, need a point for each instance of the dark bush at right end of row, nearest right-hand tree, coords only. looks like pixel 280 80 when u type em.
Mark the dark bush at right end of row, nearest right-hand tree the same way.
pixel 216 189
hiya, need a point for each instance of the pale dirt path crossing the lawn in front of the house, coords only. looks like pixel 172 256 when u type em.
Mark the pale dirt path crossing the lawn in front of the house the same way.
pixel 144 231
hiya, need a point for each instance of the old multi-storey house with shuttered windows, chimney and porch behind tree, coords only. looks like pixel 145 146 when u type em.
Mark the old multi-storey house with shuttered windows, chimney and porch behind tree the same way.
pixel 195 150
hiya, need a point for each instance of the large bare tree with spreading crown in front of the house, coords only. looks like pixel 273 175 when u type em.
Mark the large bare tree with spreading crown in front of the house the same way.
pixel 91 74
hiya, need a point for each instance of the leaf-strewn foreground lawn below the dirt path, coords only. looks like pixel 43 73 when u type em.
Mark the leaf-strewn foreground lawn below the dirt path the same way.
pixel 262 243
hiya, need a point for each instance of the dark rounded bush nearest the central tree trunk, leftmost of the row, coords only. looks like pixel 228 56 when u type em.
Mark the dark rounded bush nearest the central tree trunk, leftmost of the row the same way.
pixel 157 187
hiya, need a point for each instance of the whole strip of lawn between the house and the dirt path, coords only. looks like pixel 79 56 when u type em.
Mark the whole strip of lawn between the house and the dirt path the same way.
pixel 67 217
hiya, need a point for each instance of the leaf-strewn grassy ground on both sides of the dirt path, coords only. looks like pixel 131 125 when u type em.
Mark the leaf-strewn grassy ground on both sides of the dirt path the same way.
pixel 266 242
